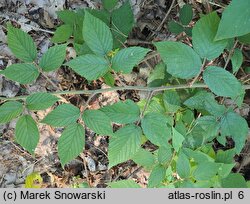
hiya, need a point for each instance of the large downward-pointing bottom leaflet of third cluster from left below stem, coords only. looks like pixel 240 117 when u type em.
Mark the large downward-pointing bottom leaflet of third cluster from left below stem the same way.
pixel 124 144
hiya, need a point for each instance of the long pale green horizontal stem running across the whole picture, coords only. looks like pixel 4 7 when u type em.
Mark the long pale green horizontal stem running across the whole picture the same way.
pixel 120 88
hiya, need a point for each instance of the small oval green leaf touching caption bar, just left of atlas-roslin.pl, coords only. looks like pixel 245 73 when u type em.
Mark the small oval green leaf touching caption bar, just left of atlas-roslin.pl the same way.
pixel 156 176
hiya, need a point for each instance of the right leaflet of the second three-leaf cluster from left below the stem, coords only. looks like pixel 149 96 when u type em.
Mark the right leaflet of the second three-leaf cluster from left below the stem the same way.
pixel 98 121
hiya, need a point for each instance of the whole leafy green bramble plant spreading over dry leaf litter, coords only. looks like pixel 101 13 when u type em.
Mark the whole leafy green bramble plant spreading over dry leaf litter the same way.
pixel 182 119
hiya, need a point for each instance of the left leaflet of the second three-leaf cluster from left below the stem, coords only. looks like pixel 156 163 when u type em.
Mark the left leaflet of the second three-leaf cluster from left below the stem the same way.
pixel 63 115
